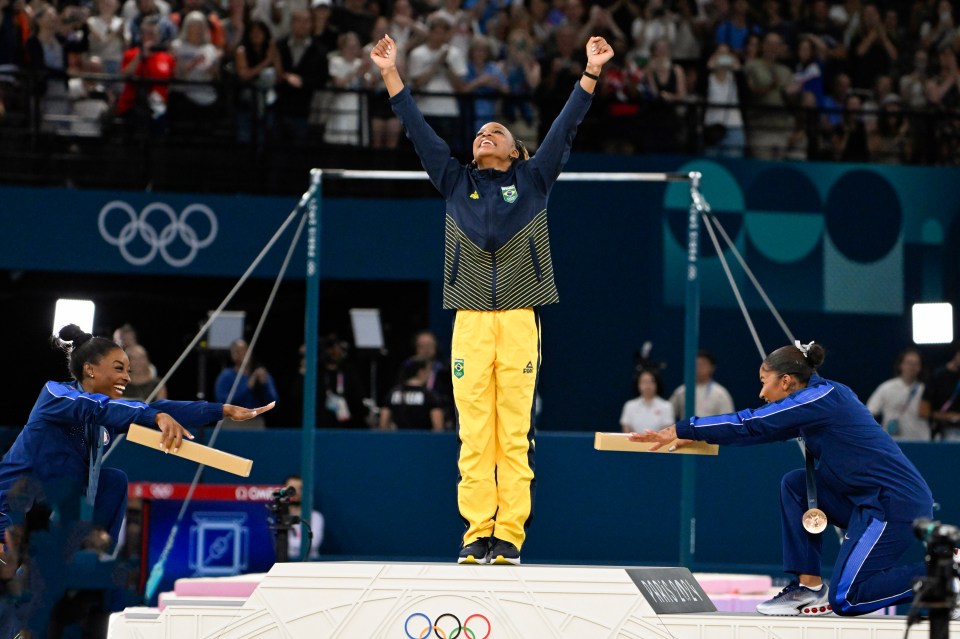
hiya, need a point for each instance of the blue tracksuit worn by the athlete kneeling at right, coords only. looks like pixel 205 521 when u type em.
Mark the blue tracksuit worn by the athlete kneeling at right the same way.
pixel 865 484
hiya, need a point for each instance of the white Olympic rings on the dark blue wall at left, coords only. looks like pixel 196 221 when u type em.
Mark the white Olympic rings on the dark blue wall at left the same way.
pixel 158 241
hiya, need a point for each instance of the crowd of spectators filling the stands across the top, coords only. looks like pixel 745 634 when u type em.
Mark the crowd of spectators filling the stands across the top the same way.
pixel 797 79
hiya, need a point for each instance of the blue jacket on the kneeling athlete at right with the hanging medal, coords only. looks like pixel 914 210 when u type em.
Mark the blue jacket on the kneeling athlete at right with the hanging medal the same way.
pixel 857 458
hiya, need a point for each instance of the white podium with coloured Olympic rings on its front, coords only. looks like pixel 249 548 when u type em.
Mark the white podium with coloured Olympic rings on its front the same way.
pixel 395 601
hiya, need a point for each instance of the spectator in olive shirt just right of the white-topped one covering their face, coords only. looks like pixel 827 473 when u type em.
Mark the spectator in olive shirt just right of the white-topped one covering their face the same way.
pixel 769 125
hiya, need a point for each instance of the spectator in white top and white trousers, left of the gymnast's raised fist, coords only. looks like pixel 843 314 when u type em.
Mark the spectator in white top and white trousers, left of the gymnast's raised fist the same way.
pixel 348 67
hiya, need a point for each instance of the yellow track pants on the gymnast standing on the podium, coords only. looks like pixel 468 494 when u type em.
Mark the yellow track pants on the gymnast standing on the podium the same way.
pixel 495 359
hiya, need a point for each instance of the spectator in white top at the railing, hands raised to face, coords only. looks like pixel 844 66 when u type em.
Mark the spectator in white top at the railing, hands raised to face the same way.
pixel 722 119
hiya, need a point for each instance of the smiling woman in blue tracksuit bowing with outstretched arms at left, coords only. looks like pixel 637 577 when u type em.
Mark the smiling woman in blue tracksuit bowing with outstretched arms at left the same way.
pixel 56 457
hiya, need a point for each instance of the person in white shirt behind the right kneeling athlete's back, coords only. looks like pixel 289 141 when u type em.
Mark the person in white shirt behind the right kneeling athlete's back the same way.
pixel 896 402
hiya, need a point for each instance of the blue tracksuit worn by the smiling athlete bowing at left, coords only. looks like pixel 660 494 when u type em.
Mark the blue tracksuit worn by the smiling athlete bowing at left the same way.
pixel 54 447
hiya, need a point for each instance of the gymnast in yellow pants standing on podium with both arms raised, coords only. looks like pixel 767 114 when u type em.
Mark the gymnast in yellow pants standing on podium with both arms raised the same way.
pixel 497 271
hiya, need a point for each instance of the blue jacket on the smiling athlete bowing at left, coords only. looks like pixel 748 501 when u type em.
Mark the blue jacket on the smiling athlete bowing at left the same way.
pixel 54 443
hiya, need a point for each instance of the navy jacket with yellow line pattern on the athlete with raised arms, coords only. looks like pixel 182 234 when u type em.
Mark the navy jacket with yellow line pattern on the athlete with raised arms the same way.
pixel 497 248
